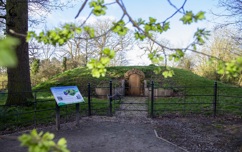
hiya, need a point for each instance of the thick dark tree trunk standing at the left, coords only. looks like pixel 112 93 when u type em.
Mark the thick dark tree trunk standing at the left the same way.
pixel 19 84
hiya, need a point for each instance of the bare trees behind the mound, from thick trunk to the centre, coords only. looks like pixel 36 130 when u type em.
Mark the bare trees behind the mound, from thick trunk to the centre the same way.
pixel 79 50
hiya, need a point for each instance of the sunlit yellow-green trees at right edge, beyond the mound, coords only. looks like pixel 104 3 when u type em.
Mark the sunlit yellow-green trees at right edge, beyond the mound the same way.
pixel 224 48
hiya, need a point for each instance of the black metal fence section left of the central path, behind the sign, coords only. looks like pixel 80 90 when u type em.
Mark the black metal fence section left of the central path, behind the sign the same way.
pixel 42 109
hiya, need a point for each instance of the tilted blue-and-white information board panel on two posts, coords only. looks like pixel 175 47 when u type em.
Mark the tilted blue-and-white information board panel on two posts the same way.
pixel 66 95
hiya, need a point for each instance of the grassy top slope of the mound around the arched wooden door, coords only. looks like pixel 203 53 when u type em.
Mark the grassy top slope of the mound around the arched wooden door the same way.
pixel 82 76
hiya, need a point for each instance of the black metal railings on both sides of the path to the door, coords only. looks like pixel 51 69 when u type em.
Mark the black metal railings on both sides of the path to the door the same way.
pixel 41 110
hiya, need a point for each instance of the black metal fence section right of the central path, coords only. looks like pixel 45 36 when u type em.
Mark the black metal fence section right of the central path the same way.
pixel 186 100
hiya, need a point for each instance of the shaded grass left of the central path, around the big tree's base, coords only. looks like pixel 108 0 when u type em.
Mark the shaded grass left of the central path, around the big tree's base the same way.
pixel 43 111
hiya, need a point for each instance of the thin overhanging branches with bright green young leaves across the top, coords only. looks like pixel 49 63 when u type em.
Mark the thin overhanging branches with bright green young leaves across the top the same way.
pixel 143 30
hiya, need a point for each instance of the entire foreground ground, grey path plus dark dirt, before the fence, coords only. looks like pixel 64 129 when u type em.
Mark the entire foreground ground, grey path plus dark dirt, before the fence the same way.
pixel 169 134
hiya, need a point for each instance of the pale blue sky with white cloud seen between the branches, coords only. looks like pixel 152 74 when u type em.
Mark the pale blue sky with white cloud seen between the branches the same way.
pixel 179 35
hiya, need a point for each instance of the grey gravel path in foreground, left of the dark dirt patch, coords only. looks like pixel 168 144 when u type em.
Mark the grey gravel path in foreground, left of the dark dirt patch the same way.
pixel 103 134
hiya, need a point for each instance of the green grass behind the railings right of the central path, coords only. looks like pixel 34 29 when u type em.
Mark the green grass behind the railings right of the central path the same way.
pixel 197 100
